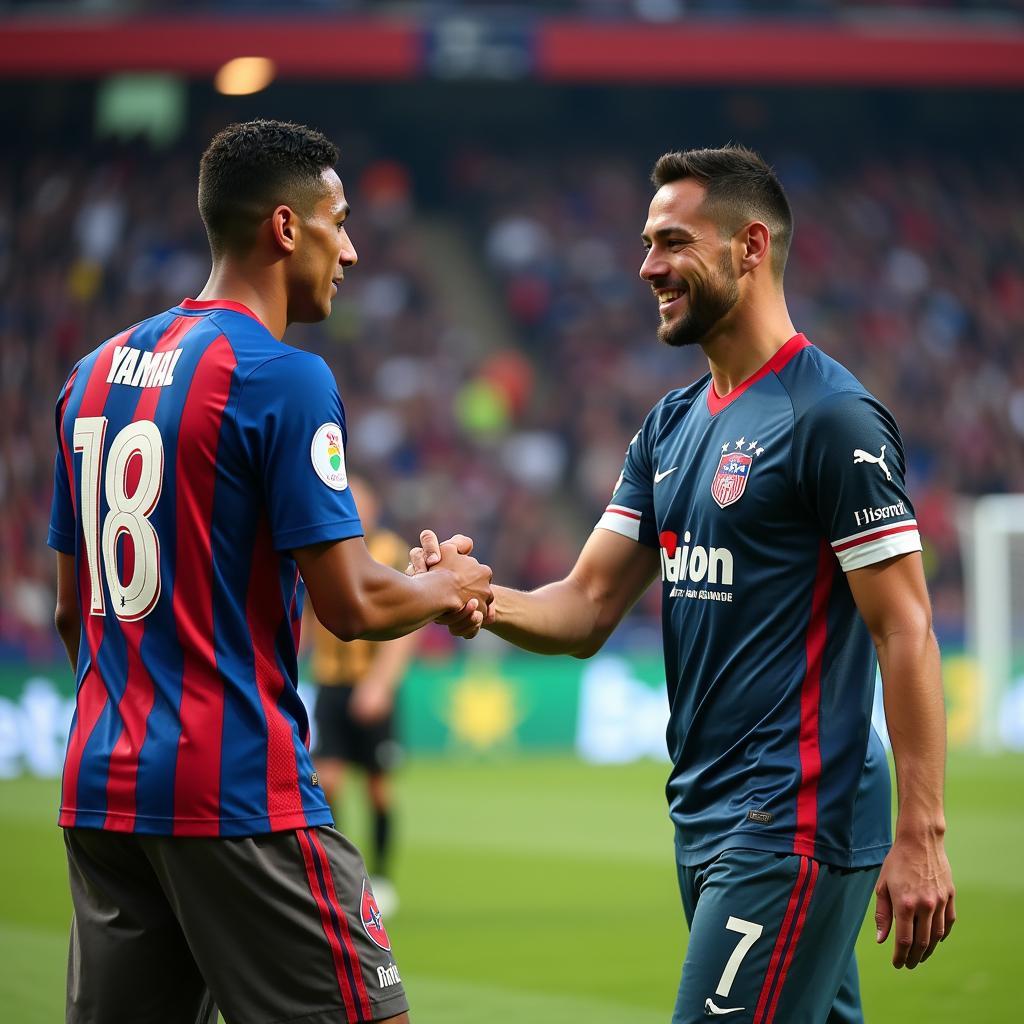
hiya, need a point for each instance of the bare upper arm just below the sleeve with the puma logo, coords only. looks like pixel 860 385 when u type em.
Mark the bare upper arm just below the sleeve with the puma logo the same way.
pixel 892 595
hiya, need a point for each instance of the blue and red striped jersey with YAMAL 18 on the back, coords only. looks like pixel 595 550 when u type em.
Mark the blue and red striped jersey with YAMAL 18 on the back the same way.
pixel 195 453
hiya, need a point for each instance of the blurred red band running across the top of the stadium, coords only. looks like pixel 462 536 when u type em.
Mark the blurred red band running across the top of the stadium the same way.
pixel 900 54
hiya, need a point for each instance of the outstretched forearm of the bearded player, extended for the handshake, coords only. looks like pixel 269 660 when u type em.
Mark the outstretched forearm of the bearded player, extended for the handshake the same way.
pixel 559 619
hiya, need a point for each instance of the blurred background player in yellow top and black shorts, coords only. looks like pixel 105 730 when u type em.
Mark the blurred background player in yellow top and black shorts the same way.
pixel 355 711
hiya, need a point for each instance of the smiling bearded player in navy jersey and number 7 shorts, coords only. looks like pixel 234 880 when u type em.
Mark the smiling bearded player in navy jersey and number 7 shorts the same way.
pixel 770 499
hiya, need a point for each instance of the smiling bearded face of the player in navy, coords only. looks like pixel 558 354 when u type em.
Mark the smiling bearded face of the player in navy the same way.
pixel 689 265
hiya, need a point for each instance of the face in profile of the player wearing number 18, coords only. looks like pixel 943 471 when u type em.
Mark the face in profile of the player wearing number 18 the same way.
pixel 322 253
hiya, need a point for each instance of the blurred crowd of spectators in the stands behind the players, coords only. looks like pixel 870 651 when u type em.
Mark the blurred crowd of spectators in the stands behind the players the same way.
pixel 911 273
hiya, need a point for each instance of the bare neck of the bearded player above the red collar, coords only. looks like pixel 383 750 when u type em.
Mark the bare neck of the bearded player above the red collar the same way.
pixel 746 340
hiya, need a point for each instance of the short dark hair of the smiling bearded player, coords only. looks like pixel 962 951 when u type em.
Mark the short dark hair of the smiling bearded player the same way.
pixel 741 187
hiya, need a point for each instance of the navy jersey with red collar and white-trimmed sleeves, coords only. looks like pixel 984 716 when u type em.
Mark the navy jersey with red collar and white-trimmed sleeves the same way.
pixel 759 502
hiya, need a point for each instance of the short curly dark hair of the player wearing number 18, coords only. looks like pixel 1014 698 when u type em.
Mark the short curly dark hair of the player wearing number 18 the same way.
pixel 250 168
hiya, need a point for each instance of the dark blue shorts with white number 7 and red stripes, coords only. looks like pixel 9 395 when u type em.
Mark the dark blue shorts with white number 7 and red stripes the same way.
pixel 773 940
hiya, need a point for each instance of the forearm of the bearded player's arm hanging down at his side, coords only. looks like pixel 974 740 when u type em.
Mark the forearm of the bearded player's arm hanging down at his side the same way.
pixel 917 723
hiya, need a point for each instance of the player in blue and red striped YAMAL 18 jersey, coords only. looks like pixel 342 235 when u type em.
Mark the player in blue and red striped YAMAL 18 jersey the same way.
pixel 200 473
